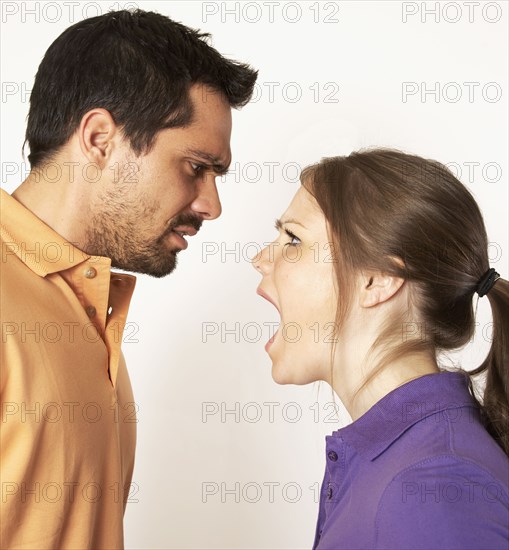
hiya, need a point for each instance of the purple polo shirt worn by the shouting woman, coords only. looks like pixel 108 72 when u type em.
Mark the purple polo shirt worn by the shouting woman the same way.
pixel 417 470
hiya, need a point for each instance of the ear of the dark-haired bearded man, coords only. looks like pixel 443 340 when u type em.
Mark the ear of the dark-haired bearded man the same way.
pixel 96 132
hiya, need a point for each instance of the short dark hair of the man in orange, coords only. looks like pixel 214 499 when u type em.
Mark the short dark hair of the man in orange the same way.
pixel 139 66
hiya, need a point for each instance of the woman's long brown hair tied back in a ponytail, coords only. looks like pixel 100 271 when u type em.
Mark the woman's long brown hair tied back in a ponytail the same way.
pixel 411 217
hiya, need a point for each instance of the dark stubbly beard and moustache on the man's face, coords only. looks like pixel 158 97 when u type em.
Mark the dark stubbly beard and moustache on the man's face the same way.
pixel 115 237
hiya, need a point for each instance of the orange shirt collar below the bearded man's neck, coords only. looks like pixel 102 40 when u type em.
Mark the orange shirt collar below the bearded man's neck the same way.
pixel 36 244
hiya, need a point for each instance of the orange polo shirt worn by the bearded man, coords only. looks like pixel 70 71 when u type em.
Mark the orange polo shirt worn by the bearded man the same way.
pixel 67 422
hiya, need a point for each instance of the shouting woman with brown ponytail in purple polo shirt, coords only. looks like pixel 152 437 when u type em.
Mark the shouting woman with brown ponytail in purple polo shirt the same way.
pixel 385 251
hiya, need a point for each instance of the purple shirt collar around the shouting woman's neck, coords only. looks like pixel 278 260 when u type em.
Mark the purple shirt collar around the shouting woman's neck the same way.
pixel 384 422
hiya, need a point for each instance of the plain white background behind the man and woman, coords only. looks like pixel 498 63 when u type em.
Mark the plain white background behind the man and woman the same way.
pixel 351 71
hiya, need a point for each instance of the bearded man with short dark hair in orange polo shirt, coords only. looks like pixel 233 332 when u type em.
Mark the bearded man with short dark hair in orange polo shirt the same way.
pixel 129 124
